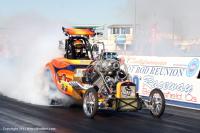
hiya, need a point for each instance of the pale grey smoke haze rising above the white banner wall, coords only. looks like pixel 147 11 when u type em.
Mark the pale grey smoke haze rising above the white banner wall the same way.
pixel 178 17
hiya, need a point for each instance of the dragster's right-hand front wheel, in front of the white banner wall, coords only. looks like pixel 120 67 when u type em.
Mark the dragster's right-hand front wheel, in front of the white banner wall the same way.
pixel 157 102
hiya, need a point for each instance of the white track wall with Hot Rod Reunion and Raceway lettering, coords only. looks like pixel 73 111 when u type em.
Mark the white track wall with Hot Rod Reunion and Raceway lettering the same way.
pixel 177 77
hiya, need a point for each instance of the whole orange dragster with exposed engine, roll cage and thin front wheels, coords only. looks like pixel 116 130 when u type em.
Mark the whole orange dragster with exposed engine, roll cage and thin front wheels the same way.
pixel 100 82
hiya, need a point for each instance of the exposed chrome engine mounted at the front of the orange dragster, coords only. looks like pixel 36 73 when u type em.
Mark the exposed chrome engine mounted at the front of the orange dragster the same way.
pixel 105 74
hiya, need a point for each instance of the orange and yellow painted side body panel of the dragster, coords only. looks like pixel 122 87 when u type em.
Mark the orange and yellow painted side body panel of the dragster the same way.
pixel 62 67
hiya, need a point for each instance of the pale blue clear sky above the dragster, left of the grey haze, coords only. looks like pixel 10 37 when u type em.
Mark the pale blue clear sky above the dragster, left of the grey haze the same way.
pixel 71 11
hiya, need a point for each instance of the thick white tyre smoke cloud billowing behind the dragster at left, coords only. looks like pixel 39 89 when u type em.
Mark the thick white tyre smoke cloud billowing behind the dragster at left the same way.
pixel 28 41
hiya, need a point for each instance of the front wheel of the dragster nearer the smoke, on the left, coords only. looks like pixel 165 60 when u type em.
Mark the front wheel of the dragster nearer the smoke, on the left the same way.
pixel 90 103
